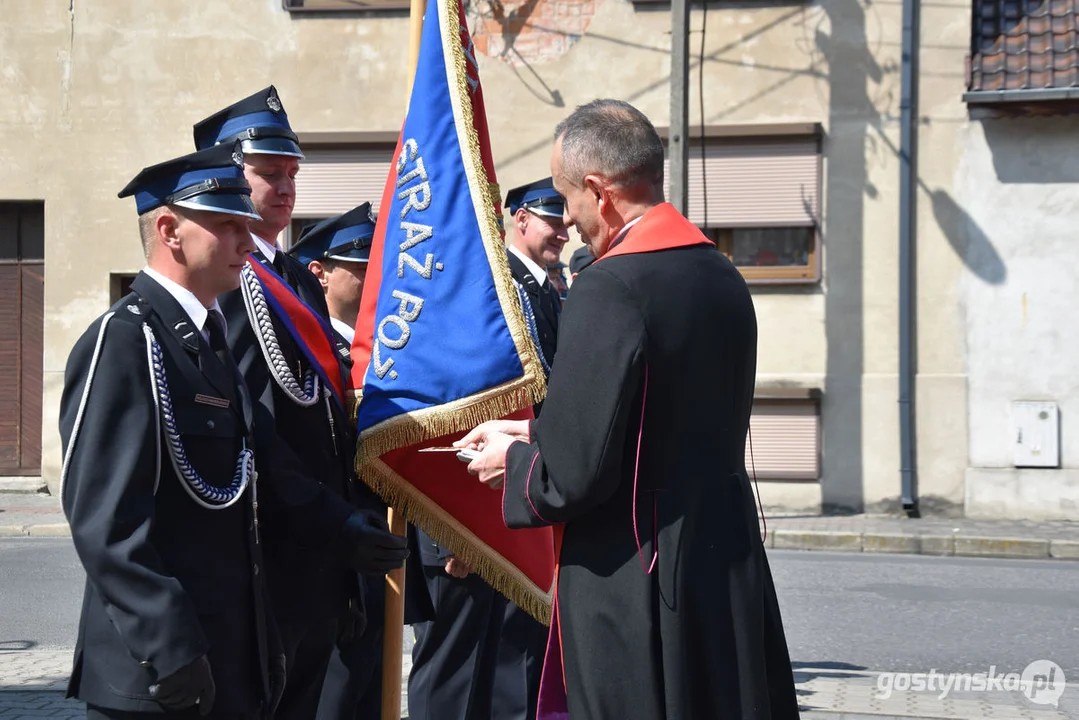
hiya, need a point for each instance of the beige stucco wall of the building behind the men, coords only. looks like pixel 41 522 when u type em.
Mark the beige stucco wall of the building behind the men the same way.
pixel 107 87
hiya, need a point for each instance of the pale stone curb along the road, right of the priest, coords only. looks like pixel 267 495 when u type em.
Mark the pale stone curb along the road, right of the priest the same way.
pixel 957 546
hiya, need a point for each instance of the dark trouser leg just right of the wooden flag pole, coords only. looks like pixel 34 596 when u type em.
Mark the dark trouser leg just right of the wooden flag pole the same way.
pixel 455 657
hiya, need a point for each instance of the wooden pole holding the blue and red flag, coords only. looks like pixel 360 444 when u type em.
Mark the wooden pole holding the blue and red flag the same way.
pixel 394 629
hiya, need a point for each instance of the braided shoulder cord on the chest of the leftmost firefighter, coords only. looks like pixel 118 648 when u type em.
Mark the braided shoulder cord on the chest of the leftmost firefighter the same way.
pixel 204 494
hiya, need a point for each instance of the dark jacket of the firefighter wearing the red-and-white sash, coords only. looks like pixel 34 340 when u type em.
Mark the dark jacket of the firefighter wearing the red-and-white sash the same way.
pixel 315 449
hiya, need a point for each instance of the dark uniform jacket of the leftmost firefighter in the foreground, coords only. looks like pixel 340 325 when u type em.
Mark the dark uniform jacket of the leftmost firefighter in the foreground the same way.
pixel 168 580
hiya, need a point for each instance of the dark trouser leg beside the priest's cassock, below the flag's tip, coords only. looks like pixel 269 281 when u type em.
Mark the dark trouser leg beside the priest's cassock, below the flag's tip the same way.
pixel 521 663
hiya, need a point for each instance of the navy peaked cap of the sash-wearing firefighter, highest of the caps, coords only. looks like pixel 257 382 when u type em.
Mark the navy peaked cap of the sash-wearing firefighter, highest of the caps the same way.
pixel 258 121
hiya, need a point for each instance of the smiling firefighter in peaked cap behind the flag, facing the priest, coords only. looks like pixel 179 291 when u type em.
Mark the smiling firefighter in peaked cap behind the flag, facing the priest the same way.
pixel 481 656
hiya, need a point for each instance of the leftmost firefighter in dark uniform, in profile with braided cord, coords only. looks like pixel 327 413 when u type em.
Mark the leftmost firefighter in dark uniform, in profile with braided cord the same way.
pixel 159 480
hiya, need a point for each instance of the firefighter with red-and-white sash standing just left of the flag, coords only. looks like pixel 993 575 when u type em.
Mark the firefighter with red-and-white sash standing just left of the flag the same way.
pixel 313 565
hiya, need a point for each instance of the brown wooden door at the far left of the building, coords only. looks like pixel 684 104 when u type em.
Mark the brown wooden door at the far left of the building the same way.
pixel 22 335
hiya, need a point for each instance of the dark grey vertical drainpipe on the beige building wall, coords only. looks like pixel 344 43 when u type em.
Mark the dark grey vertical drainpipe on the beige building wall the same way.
pixel 908 221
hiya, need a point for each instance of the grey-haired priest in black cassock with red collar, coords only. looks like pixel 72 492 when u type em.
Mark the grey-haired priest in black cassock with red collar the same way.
pixel 665 604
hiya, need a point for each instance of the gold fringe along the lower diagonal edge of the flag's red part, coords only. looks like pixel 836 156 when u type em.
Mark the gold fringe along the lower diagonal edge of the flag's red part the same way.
pixel 448 533
